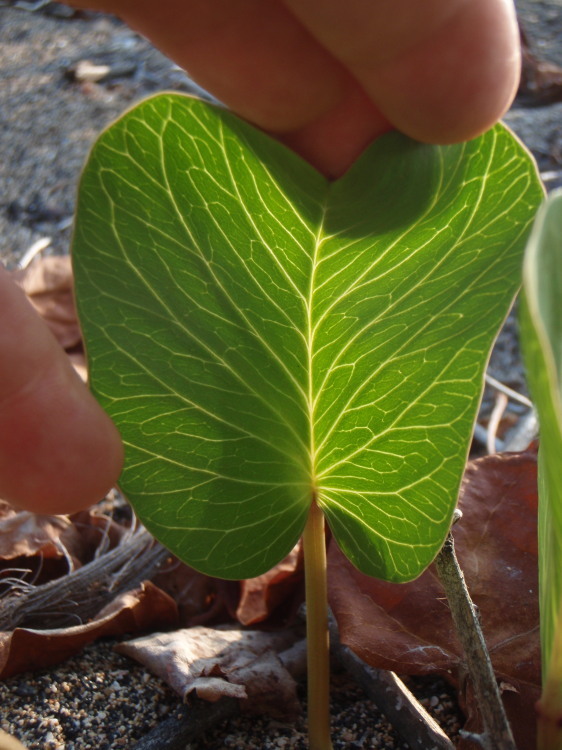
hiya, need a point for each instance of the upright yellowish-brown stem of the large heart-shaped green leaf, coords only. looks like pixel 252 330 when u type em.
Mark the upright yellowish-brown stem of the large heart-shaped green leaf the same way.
pixel 317 634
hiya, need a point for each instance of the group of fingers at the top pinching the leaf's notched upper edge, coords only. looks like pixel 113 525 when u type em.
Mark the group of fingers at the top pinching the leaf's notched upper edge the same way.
pixel 327 76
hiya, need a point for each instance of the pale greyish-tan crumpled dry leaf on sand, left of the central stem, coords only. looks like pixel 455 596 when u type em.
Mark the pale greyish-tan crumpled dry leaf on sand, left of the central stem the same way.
pixel 219 662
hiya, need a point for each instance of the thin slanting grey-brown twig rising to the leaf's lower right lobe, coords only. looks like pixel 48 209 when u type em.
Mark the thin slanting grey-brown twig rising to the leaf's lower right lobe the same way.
pixel 498 735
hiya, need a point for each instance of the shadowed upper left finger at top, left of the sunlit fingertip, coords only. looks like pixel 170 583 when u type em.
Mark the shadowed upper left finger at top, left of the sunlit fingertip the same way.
pixel 252 55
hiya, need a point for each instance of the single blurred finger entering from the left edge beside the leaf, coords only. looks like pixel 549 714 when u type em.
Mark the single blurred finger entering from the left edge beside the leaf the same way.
pixel 59 452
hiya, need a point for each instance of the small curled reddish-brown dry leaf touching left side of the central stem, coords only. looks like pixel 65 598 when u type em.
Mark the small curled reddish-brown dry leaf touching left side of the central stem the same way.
pixel 260 596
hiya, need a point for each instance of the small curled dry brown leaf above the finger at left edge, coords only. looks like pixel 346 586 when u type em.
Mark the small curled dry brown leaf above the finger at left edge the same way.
pixel 48 283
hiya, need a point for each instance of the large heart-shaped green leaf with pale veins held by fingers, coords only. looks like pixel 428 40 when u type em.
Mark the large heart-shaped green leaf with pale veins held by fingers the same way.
pixel 262 336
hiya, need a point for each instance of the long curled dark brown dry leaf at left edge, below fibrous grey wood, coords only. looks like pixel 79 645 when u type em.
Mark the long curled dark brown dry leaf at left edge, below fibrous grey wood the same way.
pixel 144 609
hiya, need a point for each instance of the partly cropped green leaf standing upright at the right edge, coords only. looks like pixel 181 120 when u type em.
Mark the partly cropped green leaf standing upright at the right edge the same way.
pixel 541 324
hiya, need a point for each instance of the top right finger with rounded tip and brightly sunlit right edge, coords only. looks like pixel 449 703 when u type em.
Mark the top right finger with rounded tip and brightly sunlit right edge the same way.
pixel 441 71
